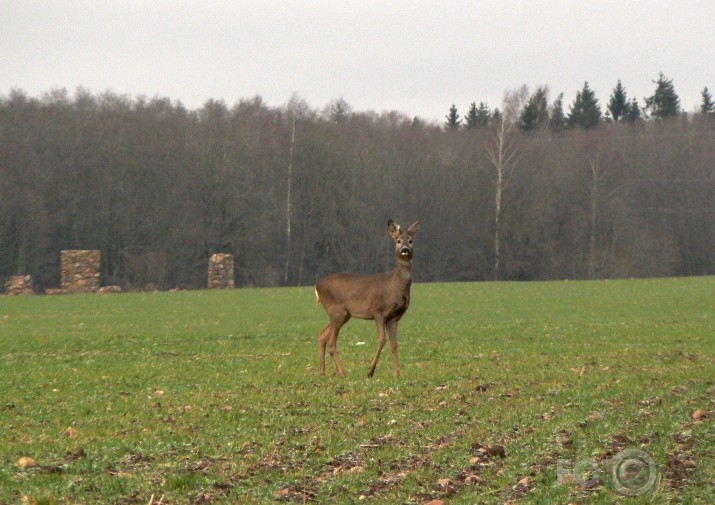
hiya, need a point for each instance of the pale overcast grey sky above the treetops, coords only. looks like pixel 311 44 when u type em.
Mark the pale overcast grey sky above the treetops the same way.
pixel 416 57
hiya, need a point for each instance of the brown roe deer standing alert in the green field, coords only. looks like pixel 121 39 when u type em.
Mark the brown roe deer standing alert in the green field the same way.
pixel 382 297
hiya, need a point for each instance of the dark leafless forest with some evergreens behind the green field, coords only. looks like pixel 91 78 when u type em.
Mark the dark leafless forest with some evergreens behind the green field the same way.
pixel 530 191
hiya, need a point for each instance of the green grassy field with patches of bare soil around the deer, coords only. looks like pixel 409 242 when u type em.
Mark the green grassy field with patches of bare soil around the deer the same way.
pixel 510 392
